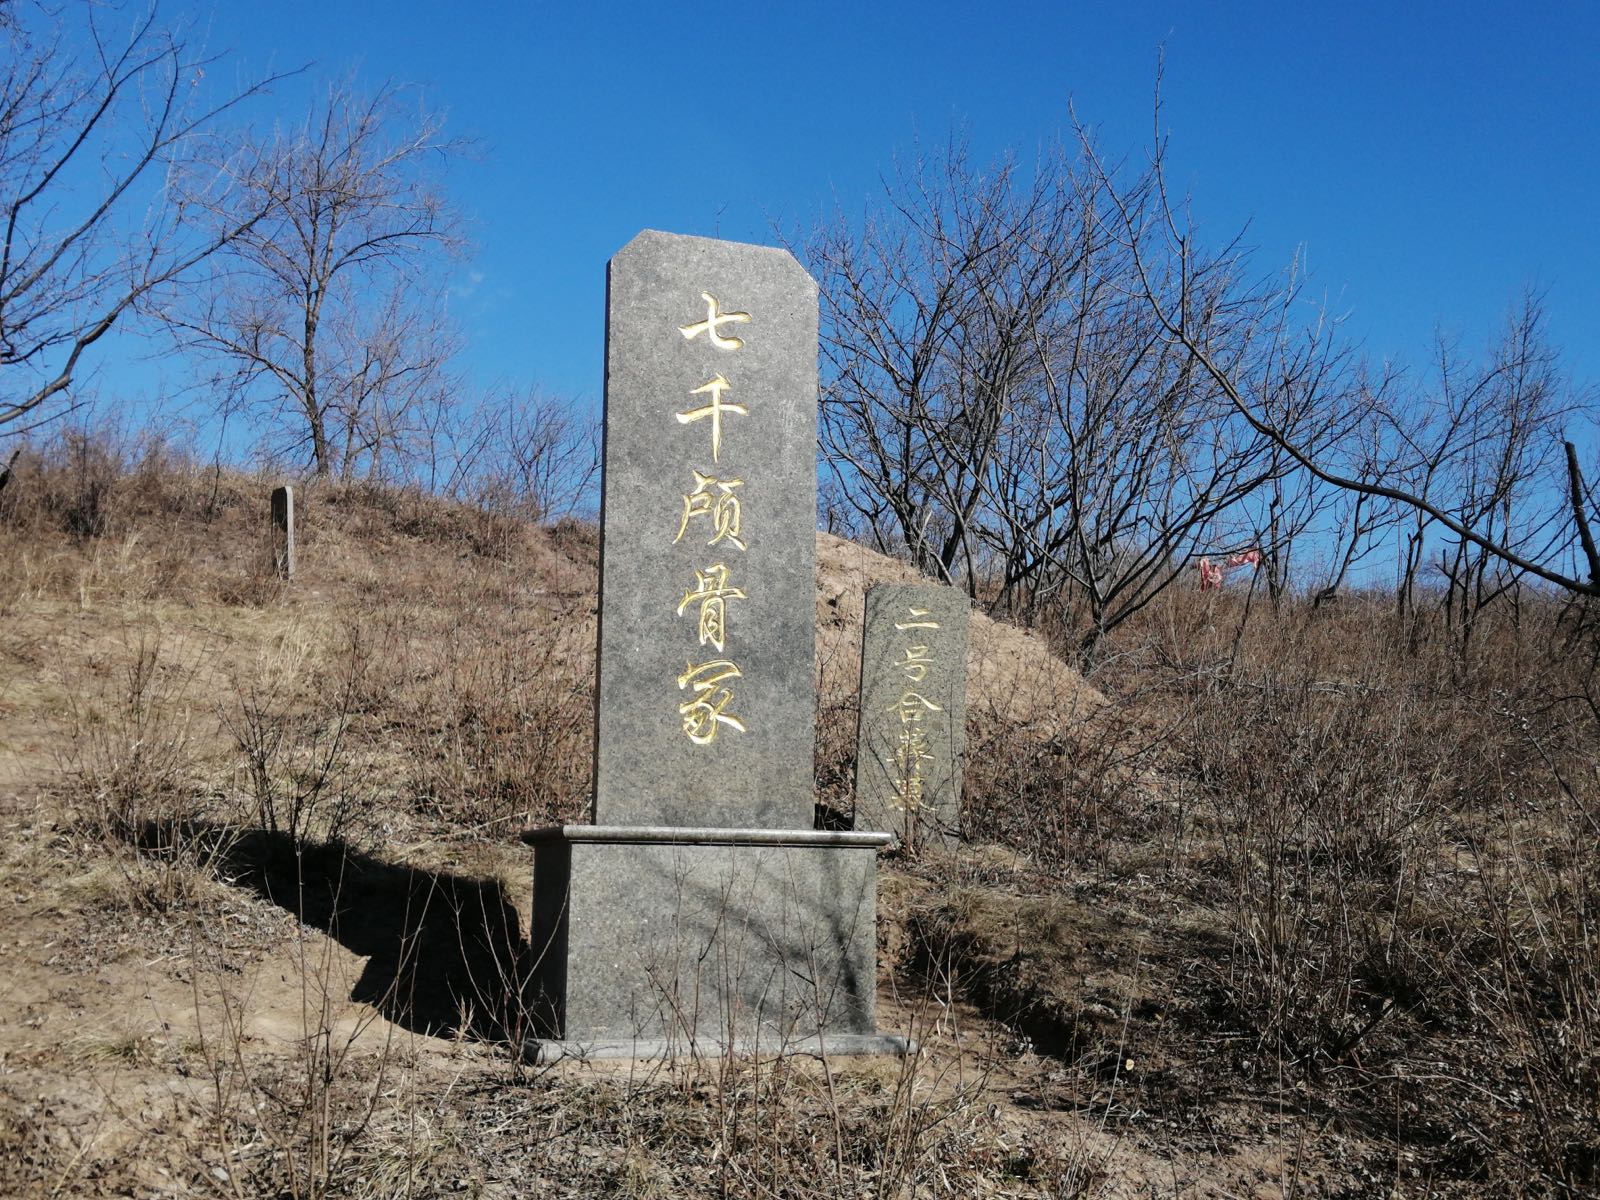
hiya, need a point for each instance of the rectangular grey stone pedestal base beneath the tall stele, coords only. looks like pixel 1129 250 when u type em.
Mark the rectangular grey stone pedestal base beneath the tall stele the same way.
pixel 652 942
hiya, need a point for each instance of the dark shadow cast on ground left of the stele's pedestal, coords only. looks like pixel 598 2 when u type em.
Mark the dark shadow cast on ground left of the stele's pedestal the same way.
pixel 446 954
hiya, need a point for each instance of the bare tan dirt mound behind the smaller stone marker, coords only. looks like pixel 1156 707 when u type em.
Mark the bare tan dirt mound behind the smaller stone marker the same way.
pixel 1010 674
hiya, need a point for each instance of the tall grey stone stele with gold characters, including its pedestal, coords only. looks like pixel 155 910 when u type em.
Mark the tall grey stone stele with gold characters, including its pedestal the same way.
pixel 702 911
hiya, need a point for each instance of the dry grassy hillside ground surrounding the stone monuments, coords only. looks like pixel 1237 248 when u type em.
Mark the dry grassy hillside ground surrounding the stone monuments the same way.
pixel 1276 903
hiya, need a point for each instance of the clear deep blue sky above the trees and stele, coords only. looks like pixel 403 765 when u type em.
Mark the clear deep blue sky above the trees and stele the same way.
pixel 1430 161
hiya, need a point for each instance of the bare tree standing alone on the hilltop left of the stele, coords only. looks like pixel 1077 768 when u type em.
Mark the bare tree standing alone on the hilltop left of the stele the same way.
pixel 329 318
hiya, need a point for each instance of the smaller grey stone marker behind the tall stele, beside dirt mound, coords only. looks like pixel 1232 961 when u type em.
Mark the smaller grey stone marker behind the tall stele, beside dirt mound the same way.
pixel 913 727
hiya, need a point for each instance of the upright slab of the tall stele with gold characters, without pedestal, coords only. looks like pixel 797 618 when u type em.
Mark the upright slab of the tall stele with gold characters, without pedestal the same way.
pixel 708 575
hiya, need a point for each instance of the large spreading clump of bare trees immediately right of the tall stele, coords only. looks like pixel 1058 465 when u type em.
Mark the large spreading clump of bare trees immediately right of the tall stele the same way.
pixel 1002 404
